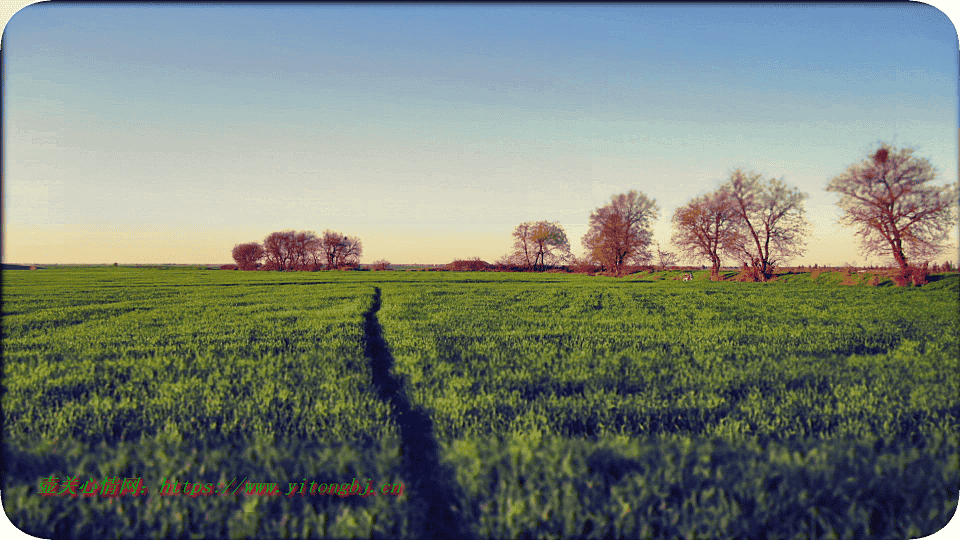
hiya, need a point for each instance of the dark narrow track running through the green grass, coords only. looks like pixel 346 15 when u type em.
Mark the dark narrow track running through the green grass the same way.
pixel 435 496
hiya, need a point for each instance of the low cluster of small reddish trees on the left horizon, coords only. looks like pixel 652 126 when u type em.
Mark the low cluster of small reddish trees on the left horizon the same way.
pixel 304 250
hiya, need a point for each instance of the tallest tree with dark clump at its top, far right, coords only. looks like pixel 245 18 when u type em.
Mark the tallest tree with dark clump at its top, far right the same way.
pixel 887 199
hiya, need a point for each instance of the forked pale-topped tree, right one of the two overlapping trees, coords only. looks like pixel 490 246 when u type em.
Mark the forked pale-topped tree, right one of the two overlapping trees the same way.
pixel 771 222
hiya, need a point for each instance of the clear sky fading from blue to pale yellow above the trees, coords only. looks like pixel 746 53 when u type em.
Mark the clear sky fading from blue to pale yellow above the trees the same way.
pixel 139 134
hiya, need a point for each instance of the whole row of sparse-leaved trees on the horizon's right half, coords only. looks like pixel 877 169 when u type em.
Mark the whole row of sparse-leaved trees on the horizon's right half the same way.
pixel 886 198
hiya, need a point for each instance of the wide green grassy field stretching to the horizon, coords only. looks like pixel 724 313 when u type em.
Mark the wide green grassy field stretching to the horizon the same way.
pixel 512 405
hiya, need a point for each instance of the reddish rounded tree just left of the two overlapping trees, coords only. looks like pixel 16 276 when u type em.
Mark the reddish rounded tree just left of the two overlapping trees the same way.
pixel 619 232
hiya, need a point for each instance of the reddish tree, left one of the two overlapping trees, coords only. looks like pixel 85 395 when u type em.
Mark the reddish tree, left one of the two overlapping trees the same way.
pixel 707 227
